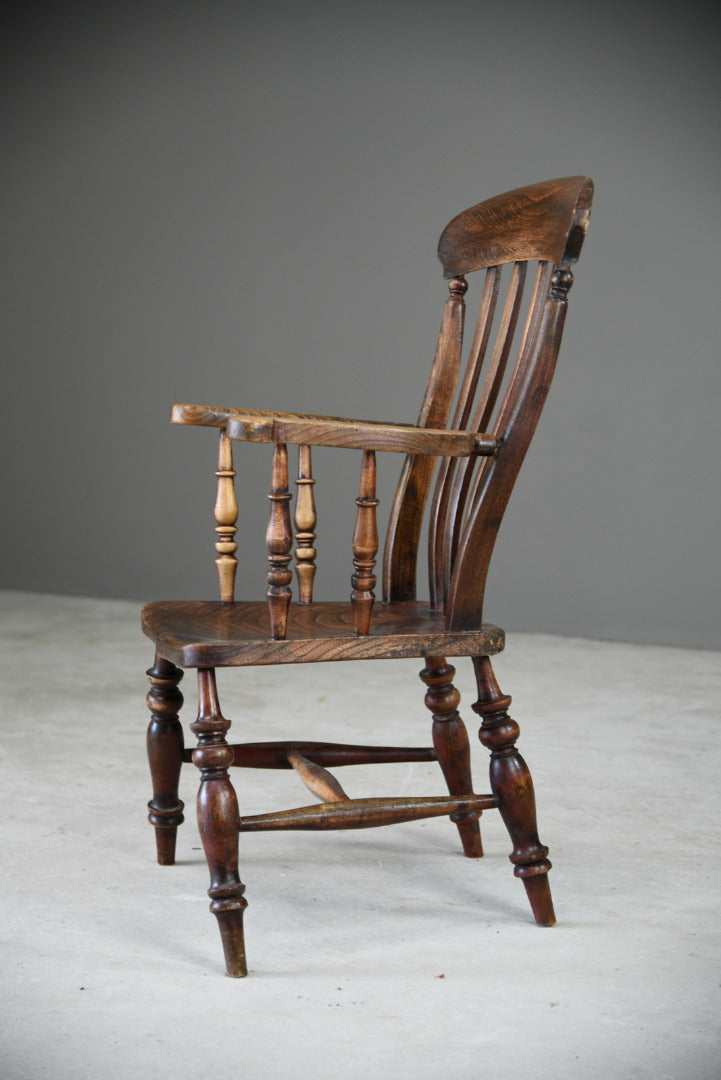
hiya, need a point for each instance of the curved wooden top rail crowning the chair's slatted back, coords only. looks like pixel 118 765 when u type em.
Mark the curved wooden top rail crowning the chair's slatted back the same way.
pixel 543 222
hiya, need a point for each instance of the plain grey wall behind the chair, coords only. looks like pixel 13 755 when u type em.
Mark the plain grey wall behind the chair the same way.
pixel 227 205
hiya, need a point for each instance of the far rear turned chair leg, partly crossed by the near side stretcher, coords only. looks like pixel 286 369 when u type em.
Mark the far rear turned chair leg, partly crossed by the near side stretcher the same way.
pixel 451 740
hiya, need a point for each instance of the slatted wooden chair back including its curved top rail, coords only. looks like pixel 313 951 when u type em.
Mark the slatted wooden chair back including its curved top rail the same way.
pixel 526 242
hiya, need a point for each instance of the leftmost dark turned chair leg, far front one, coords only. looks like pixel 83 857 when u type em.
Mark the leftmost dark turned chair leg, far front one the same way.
pixel 165 757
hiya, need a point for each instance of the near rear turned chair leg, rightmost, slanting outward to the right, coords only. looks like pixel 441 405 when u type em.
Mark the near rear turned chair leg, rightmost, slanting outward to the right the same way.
pixel 512 785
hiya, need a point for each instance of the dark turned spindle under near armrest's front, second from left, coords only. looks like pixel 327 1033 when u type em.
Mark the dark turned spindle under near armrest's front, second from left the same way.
pixel 279 541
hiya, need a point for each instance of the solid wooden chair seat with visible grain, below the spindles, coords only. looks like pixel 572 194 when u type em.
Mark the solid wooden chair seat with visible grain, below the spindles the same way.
pixel 202 634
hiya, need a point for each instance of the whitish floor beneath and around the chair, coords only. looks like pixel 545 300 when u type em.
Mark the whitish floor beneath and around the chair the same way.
pixel 373 954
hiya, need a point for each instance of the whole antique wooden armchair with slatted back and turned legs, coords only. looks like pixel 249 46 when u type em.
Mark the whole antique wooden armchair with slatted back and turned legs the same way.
pixel 473 431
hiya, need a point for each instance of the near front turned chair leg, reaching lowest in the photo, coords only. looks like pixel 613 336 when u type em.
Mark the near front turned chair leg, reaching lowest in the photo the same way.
pixel 219 822
